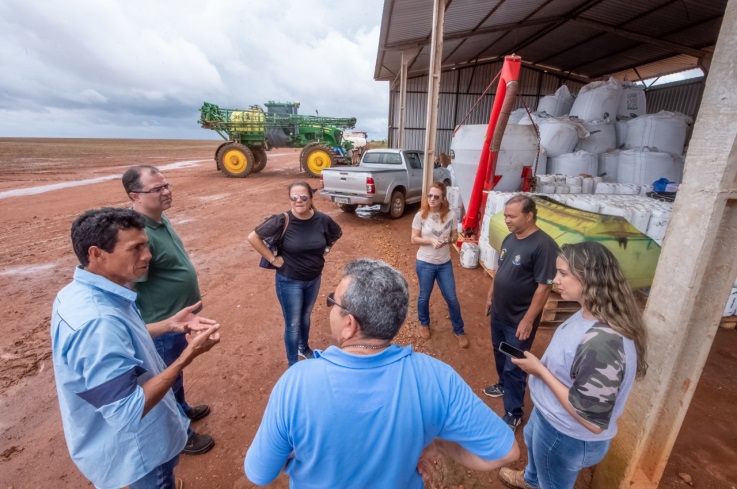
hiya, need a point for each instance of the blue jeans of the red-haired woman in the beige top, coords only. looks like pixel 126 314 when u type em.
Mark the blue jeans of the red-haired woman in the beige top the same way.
pixel 427 274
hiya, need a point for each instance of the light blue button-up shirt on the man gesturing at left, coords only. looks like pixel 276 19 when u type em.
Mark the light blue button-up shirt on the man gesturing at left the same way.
pixel 103 354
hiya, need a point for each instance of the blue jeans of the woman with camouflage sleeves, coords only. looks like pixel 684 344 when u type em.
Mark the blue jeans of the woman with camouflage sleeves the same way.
pixel 554 459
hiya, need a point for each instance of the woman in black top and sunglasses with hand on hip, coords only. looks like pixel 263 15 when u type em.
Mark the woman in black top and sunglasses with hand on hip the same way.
pixel 299 261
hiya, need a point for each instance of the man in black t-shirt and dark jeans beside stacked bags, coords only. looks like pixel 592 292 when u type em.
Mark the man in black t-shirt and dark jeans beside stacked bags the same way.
pixel 517 295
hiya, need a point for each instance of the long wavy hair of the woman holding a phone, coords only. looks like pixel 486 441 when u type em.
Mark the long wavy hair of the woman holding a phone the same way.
pixel 606 293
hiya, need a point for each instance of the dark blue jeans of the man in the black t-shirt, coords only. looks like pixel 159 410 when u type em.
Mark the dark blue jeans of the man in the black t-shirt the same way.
pixel 511 377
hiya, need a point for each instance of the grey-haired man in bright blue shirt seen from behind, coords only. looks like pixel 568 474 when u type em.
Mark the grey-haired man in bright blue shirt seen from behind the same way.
pixel 367 413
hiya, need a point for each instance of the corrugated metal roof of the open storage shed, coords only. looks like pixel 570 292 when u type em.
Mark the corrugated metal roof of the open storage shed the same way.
pixel 584 39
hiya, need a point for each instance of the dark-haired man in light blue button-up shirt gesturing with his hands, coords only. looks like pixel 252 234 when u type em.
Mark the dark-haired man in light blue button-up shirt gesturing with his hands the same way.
pixel 121 421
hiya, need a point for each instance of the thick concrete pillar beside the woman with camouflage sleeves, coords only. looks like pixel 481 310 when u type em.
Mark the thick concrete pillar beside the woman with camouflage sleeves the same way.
pixel 692 282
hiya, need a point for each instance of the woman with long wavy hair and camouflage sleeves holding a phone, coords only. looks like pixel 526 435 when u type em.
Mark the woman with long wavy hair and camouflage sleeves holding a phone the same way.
pixel 582 382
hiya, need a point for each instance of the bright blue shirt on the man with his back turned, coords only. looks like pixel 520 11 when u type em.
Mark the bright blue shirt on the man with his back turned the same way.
pixel 362 421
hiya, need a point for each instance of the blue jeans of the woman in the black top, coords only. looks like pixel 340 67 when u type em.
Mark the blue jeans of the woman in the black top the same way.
pixel 296 298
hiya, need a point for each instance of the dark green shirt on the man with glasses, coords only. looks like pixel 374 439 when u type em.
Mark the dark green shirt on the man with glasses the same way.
pixel 171 282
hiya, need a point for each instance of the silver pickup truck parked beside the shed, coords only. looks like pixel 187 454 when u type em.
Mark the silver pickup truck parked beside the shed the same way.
pixel 389 177
